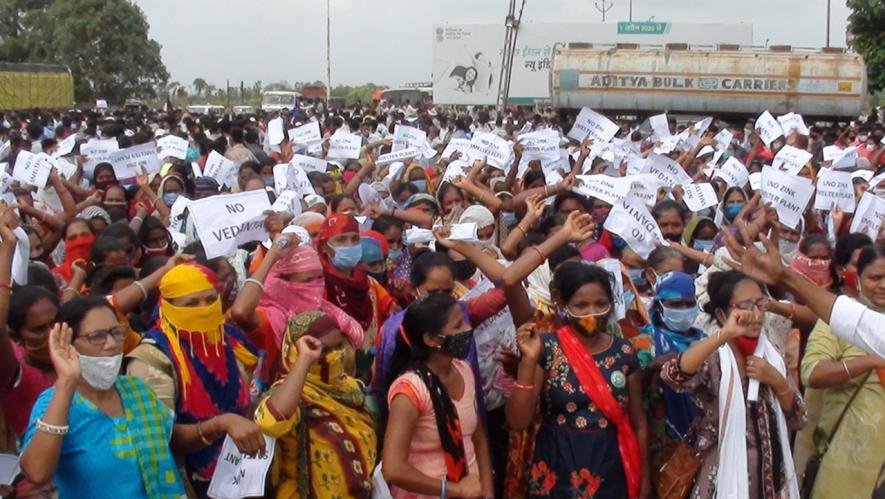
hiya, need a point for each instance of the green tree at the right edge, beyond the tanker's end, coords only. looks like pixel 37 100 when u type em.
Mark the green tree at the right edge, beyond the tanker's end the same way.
pixel 865 23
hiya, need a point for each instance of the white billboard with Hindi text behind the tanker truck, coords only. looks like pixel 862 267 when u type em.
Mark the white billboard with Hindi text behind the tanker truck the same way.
pixel 467 57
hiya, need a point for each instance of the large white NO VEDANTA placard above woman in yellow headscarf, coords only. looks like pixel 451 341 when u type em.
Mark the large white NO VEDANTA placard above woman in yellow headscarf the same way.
pixel 227 221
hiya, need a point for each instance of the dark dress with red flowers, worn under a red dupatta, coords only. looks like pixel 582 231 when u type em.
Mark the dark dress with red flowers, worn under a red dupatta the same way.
pixel 576 450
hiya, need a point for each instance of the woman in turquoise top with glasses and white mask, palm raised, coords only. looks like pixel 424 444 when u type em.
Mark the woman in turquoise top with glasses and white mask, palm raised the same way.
pixel 96 433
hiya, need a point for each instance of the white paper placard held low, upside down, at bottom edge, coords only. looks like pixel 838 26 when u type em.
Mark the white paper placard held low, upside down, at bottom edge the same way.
pixel 237 475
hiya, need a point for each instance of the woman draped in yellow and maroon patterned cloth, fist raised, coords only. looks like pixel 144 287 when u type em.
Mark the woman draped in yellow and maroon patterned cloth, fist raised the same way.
pixel 317 410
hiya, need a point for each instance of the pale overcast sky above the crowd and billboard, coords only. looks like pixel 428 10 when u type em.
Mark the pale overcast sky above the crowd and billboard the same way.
pixel 390 41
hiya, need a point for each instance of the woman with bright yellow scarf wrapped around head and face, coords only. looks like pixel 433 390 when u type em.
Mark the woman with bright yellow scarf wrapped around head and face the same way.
pixel 200 368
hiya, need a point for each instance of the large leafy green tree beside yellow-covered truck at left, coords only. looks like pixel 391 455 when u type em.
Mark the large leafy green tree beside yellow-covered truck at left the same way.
pixel 104 42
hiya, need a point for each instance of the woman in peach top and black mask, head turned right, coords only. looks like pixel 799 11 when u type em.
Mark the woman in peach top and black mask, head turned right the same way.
pixel 434 445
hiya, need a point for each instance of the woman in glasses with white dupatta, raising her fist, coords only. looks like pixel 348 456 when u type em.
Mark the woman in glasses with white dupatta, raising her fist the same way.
pixel 746 406
